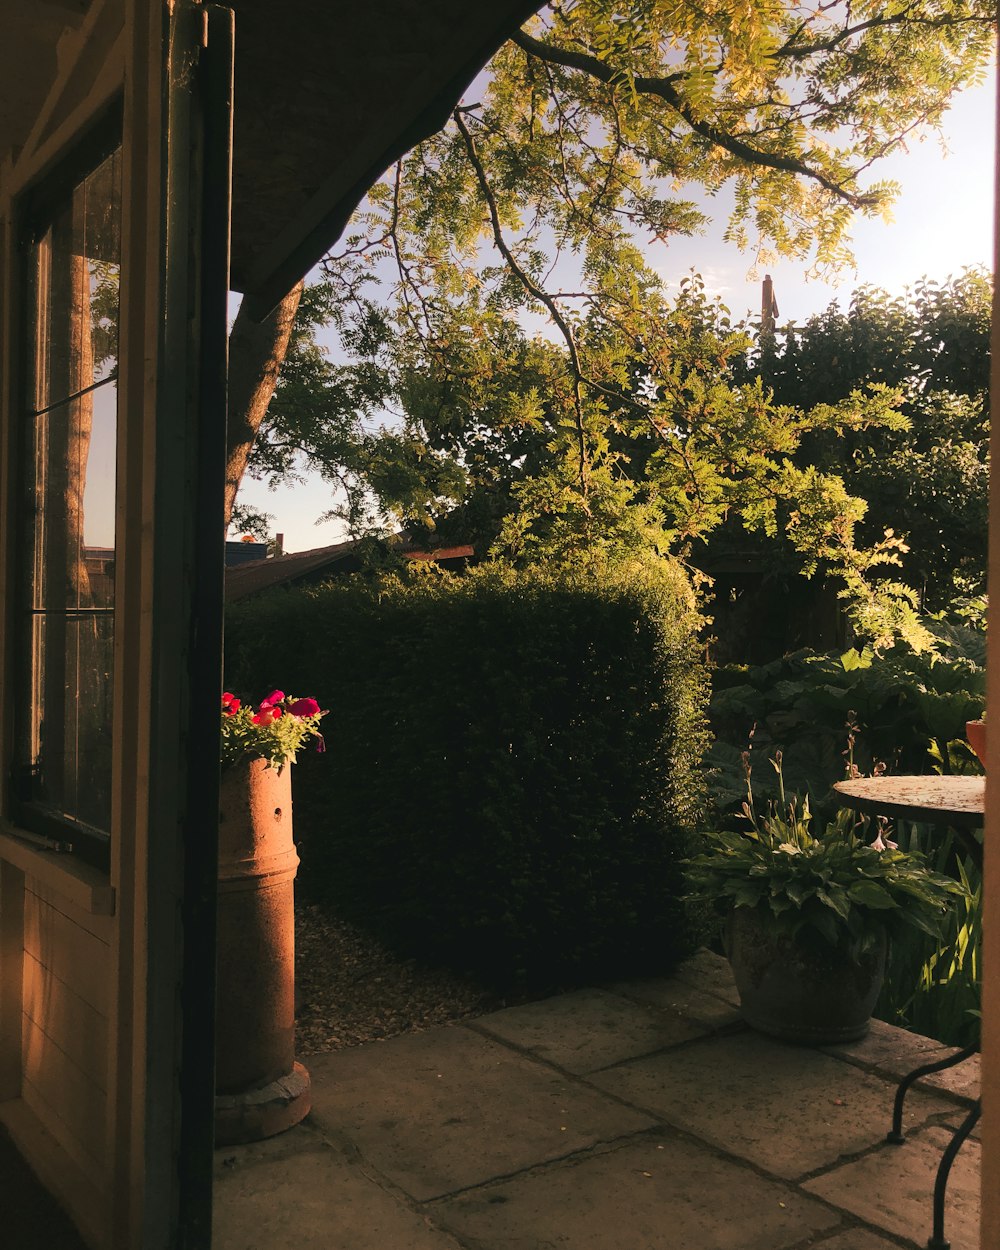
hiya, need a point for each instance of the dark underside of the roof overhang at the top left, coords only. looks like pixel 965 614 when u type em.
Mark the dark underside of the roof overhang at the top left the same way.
pixel 327 97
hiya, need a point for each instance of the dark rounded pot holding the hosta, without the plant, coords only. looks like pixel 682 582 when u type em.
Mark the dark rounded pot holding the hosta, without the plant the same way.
pixel 808 994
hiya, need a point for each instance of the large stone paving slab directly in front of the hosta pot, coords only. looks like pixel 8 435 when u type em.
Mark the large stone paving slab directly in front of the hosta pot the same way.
pixel 787 1109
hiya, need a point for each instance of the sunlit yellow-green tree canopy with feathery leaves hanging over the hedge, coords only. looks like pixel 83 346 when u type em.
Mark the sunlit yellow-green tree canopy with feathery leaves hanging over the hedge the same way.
pixel 499 294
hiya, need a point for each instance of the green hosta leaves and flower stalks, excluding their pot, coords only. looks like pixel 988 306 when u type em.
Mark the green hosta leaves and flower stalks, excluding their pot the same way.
pixel 834 884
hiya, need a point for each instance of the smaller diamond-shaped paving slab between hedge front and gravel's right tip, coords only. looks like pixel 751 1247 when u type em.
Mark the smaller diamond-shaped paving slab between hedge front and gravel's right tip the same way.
pixel 589 1029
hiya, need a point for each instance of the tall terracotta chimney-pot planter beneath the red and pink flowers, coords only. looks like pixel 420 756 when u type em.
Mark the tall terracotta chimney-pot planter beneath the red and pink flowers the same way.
pixel 261 1089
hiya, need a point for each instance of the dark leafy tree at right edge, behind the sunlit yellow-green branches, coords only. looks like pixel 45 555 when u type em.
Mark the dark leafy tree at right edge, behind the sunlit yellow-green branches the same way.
pixel 928 479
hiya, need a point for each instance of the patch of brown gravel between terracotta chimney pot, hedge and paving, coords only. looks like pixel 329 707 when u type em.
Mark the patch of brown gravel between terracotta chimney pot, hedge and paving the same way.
pixel 349 989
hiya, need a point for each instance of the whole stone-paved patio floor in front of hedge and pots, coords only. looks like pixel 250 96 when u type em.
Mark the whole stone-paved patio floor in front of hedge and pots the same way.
pixel 638 1117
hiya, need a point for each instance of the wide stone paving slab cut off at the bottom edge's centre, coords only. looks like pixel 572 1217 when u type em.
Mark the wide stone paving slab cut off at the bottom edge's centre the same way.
pixel 657 1194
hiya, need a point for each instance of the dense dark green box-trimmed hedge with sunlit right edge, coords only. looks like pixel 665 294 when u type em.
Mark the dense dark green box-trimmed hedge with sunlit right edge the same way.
pixel 513 762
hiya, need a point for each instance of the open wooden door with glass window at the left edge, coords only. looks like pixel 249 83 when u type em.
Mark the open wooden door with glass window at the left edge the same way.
pixel 116 278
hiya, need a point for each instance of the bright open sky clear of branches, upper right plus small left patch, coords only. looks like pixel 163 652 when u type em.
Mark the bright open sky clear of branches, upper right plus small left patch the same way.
pixel 943 222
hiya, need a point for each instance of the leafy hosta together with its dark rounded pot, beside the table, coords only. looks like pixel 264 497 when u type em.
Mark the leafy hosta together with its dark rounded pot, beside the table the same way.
pixel 809 916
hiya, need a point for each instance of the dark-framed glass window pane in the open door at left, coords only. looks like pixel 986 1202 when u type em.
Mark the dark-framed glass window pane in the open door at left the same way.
pixel 69 576
